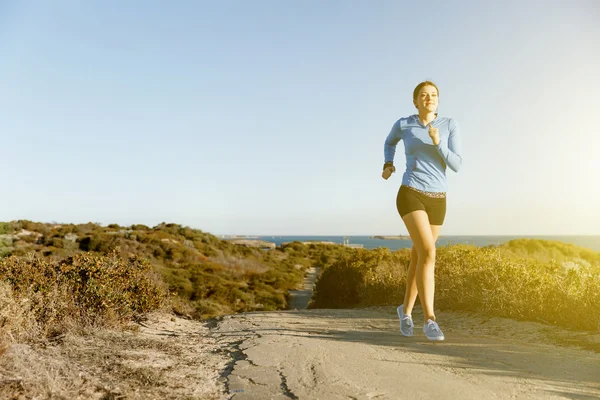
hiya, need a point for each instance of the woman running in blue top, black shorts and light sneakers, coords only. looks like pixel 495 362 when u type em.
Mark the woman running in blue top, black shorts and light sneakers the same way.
pixel 431 144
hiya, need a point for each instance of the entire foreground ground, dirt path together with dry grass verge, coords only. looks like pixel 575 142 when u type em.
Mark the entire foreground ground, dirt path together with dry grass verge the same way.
pixel 307 354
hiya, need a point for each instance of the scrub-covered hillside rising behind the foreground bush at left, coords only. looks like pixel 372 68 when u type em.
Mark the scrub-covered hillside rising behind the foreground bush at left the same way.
pixel 208 274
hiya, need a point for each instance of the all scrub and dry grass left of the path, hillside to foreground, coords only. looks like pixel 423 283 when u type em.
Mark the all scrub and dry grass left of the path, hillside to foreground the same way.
pixel 76 305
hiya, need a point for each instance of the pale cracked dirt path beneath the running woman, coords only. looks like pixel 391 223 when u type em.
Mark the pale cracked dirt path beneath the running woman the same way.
pixel 360 354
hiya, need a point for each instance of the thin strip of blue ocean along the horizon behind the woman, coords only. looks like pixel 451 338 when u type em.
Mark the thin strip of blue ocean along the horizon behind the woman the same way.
pixel 589 242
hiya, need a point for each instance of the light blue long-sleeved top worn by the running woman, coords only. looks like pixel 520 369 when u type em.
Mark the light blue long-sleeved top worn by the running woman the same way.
pixel 425 162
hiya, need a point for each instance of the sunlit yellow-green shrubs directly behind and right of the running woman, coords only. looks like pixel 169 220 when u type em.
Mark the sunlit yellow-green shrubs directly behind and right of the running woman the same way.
pixel 526 279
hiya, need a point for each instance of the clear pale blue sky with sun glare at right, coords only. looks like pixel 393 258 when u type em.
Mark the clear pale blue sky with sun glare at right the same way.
pixel 269 117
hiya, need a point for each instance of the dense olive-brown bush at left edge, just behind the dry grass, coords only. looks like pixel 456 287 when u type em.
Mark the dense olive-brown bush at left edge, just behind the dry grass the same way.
pixel 83 290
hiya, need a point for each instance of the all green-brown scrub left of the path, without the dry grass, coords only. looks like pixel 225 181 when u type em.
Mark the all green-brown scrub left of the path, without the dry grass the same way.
pixel 56 276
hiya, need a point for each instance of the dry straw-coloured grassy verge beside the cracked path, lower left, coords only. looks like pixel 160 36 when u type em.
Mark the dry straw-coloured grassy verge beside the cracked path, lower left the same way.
pixel 169 358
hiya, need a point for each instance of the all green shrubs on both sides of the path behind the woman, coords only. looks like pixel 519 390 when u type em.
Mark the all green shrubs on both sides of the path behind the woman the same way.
pixel 60 277
